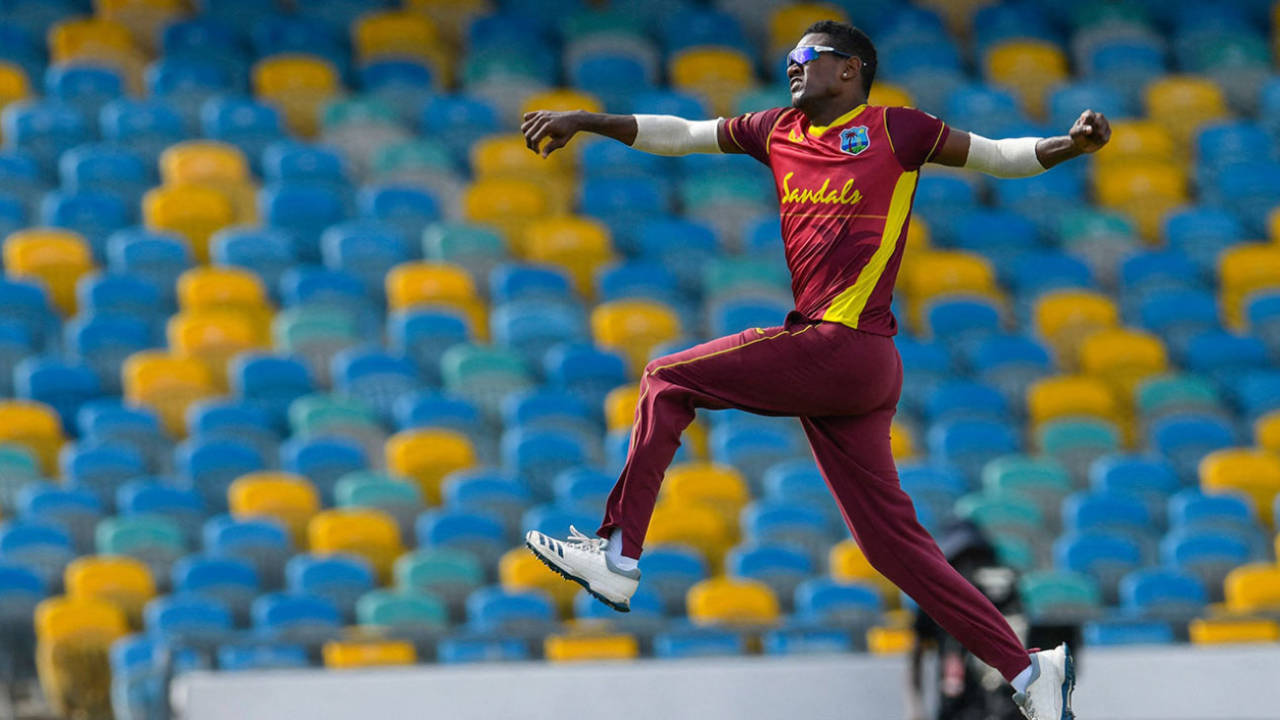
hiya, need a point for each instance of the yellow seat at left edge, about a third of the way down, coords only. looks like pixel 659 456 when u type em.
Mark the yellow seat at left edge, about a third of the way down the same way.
pixel 54 257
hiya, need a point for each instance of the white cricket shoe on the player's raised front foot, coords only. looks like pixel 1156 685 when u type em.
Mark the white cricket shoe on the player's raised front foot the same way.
pixel 583 560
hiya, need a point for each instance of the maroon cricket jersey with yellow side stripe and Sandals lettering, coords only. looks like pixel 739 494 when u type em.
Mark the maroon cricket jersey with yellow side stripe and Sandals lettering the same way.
pixel 845 195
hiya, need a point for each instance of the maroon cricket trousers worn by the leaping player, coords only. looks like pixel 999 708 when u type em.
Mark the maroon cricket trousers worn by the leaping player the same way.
pixel 844 386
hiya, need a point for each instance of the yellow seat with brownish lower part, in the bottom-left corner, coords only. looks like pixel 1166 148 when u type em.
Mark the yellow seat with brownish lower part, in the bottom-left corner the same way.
pixel 74 640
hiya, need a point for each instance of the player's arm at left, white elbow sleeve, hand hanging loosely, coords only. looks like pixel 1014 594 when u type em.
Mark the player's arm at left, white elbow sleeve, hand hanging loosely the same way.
pixel 547 131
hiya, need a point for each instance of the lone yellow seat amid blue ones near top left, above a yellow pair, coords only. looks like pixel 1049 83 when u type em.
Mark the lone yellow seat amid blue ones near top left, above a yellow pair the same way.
pixel 300 86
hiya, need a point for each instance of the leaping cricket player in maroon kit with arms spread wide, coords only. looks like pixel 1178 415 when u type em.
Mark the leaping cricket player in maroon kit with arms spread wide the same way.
pixel 847 175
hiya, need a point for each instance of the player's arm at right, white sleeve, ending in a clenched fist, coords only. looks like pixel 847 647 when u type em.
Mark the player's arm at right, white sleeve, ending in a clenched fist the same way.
pixel 1025 157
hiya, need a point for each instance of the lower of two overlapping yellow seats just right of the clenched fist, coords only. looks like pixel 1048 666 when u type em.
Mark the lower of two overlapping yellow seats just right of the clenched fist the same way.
pixel 1146 192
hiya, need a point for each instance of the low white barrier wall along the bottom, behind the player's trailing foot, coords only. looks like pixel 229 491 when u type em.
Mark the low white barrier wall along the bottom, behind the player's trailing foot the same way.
pixel 1150 683
